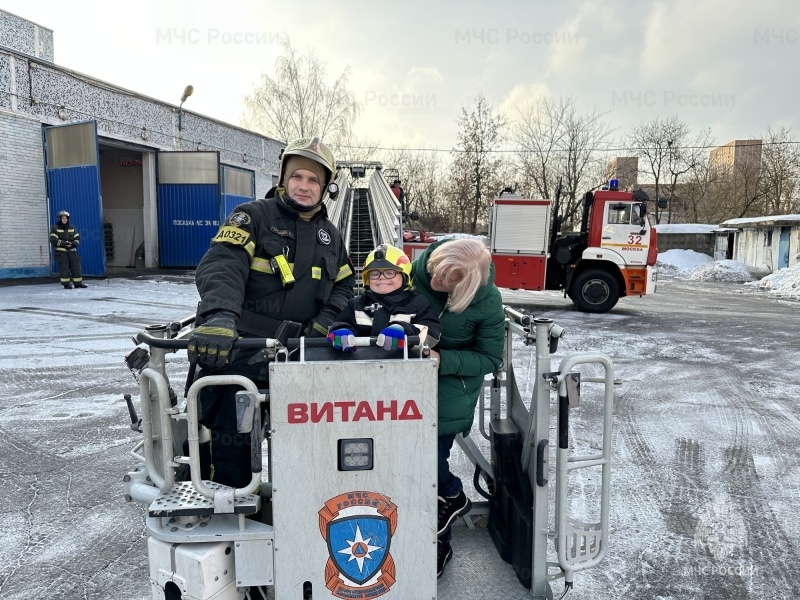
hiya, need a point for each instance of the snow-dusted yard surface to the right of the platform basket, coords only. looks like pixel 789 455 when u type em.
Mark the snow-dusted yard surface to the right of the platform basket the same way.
pixel 706 476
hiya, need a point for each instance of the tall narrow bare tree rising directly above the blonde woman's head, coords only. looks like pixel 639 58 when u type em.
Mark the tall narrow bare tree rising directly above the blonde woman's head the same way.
pixel 474 177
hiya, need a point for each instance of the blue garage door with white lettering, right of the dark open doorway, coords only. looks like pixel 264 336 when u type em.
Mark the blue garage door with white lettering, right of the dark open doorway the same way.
pixel 188 206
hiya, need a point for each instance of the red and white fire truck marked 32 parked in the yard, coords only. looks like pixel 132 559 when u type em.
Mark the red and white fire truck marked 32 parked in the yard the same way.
pixel 613 255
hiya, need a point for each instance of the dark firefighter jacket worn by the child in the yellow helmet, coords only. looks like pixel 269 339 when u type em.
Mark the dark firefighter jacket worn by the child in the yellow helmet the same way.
pixel 371 313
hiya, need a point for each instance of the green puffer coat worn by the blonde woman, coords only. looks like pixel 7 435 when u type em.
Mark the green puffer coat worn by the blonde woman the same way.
pixel 471 346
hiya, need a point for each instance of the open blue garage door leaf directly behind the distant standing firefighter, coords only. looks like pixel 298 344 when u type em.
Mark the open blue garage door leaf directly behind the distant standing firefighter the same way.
pixel 73 184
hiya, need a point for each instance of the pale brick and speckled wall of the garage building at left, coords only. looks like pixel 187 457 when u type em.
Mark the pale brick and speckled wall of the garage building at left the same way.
pixel 35 92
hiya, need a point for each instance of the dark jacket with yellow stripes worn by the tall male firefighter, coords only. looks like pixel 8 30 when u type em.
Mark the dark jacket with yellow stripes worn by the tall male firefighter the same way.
pixel 236 275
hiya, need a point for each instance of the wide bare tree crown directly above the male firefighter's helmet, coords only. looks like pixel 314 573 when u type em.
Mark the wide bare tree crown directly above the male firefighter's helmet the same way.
pixel 298 101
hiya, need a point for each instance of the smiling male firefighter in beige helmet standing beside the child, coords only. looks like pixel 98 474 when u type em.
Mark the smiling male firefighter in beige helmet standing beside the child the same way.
pixel 242 292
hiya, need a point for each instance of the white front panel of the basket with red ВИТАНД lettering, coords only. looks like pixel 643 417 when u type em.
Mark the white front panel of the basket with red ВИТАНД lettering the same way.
pixel 357 533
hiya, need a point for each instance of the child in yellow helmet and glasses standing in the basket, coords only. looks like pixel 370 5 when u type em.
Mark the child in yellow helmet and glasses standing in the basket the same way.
pixel 388 308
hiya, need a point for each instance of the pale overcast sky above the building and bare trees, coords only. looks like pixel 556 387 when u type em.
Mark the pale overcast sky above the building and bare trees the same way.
pixel 730 65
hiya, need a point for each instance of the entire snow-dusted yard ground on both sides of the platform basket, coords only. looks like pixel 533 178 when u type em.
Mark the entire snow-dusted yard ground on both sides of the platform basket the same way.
pixel 705 480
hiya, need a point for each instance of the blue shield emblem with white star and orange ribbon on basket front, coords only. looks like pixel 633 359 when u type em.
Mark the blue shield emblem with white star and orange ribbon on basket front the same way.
pixel 358 528
